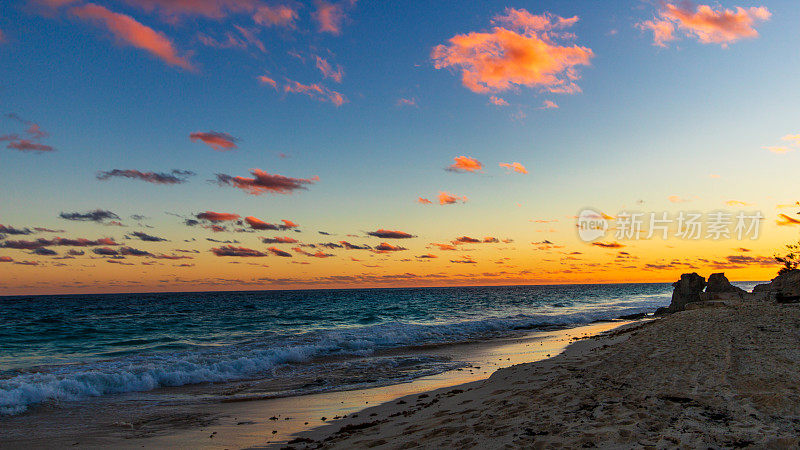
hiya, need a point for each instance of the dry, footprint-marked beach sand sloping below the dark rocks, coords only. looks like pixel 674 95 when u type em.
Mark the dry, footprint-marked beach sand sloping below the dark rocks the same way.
pixel 723 376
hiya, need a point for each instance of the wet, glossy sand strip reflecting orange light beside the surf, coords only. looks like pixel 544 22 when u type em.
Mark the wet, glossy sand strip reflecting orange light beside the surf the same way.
pixel 250 422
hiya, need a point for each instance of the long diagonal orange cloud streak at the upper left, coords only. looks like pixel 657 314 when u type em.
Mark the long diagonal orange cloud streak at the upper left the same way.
pixel 126 29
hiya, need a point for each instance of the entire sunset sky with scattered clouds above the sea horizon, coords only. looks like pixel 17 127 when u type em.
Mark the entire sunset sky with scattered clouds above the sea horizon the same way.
pixel 175 145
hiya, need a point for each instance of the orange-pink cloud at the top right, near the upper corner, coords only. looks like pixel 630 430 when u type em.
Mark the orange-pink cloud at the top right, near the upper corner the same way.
pixel 709 26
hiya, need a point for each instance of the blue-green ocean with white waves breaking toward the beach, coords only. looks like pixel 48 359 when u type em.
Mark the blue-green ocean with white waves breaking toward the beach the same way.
pixel 67 350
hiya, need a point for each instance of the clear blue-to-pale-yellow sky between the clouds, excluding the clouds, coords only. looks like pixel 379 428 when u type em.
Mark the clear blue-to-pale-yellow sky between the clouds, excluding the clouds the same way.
pixel 649 122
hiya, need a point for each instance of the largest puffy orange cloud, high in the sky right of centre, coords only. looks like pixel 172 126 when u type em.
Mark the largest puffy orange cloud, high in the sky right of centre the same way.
pixel 525 55
